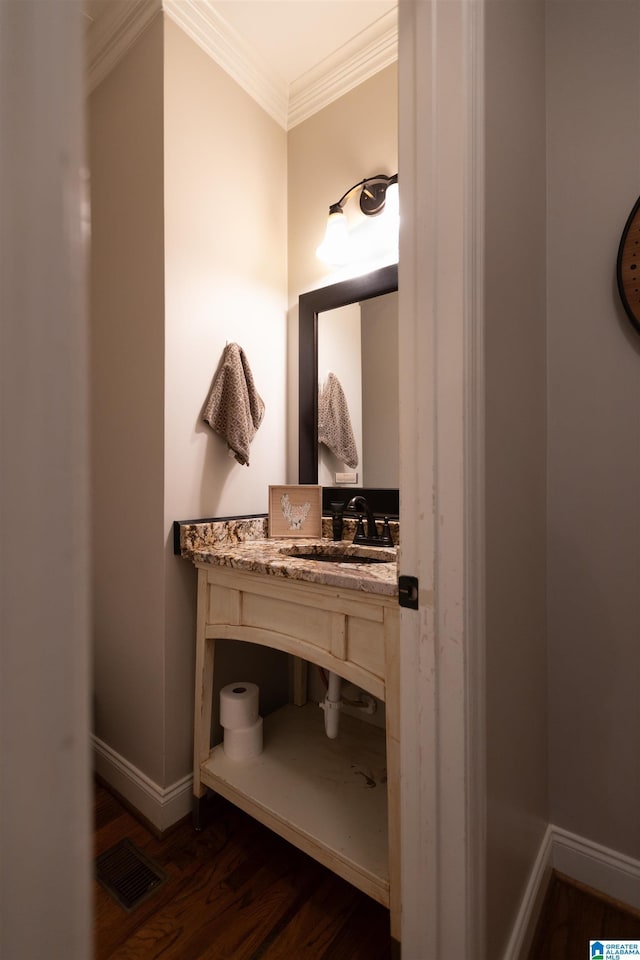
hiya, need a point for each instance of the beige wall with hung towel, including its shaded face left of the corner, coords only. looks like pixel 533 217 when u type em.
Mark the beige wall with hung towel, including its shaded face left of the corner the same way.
pixel 189 252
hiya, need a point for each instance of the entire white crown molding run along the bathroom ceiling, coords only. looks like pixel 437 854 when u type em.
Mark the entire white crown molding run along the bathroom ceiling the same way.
pixel 111 34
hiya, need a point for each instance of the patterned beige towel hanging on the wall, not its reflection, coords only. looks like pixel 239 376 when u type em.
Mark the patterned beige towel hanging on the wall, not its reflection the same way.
pixel 234 408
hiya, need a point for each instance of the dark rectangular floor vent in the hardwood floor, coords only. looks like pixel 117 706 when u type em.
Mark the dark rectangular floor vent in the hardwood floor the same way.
pixel 128 875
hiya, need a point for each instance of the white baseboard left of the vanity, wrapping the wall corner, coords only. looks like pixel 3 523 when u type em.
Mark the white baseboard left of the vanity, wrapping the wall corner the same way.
pixel 161 806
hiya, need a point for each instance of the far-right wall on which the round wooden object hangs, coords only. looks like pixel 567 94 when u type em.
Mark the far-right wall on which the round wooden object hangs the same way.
pixel 594 439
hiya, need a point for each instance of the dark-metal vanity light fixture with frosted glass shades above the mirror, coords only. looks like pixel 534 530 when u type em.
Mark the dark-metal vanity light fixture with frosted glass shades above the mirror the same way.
pixel 378 194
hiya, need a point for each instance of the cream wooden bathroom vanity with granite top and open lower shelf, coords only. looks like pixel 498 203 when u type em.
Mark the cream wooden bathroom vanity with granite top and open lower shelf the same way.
pixel 336 799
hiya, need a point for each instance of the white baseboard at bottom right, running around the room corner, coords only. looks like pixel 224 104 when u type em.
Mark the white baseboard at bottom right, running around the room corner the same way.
pixel 607 871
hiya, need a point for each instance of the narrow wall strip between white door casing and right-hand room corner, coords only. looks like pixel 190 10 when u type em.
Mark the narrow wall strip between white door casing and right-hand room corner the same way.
pixel 515 345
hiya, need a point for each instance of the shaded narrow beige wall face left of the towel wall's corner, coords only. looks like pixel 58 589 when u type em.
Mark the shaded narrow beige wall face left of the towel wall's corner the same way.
pixel 127 392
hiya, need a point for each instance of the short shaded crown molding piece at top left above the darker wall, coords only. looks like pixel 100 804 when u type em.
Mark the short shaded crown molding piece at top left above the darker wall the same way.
pixel 110 35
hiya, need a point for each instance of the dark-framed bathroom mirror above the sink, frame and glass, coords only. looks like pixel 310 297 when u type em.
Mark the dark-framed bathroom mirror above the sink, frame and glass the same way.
pixel 373 385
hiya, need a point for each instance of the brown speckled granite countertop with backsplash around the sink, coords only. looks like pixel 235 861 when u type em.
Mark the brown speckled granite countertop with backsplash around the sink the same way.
pixel 242 544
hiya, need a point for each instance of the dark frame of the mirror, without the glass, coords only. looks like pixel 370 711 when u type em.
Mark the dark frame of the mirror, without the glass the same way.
pixel 310 305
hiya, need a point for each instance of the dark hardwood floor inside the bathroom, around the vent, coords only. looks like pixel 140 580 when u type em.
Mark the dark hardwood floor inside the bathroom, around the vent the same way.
pixel 236 891
